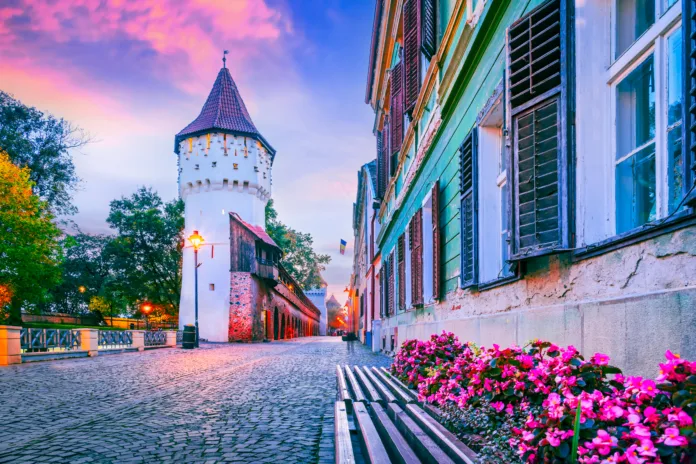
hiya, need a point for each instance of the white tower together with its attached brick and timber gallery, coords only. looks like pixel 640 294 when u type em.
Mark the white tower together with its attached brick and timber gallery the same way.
pixel 225 182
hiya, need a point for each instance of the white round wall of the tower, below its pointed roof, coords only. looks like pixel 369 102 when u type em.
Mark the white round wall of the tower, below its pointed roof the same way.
pixel 218 174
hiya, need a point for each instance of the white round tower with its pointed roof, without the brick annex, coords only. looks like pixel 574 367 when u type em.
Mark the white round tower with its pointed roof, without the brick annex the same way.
pixel 224 167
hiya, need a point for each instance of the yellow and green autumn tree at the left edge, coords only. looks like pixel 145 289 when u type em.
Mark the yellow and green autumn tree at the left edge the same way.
pixel 29 249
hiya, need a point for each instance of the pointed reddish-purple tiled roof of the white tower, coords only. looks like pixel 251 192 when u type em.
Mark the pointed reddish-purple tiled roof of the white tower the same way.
pixel 224 111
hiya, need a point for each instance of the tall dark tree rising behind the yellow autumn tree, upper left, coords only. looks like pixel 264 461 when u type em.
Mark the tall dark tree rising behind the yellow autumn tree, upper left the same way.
pixel 42 143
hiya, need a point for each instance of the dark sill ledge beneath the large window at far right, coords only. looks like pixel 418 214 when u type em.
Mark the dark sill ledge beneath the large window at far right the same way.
pixel 684 219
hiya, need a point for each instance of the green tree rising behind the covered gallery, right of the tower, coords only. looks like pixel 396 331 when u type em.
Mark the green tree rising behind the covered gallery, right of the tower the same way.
pixel 299 259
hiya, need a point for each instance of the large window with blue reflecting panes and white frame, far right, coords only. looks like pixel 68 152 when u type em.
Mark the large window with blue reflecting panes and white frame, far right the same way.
pixel 647 85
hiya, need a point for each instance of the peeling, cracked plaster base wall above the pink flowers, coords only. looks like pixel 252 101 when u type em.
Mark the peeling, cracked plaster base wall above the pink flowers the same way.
pixel 633 304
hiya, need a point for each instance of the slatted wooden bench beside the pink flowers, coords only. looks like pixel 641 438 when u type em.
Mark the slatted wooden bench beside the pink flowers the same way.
pixel 391 426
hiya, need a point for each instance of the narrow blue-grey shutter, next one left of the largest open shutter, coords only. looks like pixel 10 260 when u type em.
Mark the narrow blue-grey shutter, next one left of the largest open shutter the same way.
pixel 469 207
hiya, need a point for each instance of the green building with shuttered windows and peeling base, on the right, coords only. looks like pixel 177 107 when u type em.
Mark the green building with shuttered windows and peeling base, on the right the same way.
pixel 535 173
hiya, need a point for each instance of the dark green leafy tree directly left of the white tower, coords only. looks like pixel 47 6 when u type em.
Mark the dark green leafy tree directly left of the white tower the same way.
pixel 146 252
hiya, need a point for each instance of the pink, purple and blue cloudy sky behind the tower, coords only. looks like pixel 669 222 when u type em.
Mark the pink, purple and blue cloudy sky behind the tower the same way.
pixel 132 74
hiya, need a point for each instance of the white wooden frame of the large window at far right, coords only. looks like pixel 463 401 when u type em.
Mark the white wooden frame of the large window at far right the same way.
pixel 652 42
